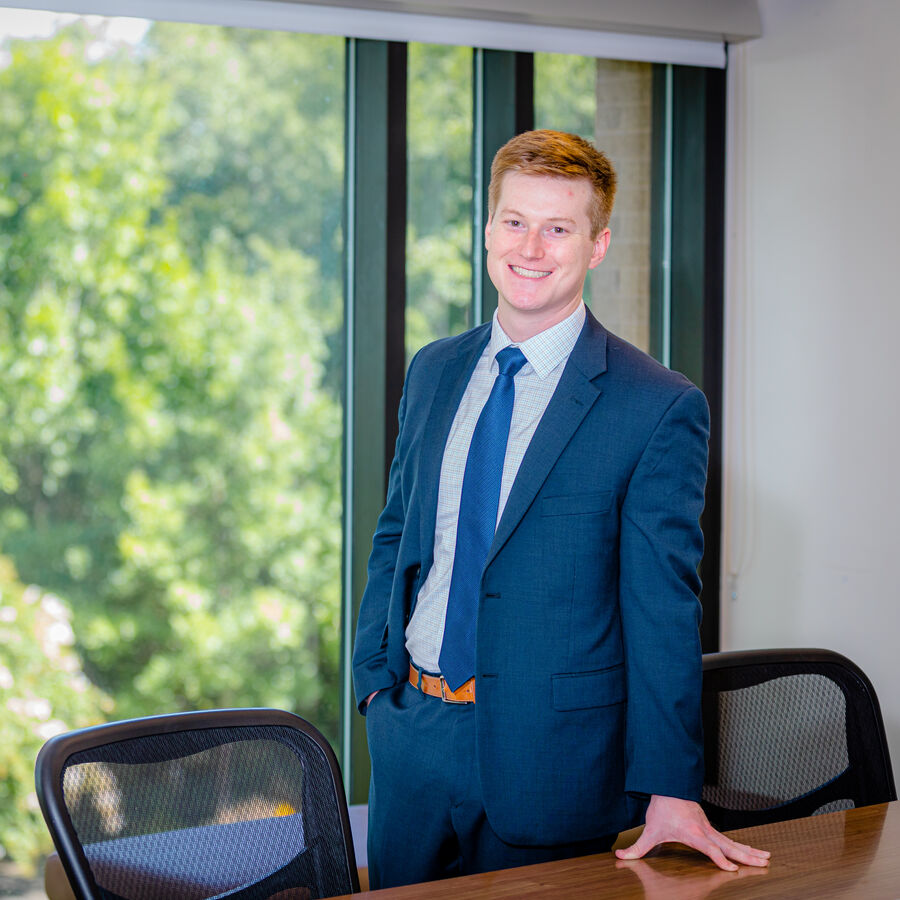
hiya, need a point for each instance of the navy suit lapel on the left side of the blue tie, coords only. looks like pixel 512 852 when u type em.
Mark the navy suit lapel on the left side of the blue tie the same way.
pixel 451 385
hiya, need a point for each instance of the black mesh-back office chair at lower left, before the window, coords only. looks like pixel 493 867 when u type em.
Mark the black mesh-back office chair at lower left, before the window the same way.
pixel 244 804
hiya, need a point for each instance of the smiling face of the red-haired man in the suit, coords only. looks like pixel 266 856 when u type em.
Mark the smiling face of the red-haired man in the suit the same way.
pixel 539 249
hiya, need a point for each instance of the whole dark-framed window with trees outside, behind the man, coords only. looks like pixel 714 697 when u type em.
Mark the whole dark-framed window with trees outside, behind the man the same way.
pixel 179 379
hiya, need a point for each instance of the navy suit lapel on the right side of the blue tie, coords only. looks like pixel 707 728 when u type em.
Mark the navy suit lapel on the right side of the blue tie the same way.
pixel 573 398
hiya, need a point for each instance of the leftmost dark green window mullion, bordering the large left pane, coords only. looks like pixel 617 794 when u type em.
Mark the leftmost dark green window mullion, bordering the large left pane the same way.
pixel 375 315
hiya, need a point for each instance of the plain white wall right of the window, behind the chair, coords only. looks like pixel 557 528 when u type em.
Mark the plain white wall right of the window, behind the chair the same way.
pixel 812 468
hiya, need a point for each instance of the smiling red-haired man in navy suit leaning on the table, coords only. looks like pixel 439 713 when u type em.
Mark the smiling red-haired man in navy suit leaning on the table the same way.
pixel 527 653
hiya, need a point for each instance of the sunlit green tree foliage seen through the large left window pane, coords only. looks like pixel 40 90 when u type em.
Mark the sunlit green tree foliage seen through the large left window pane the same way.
pixel 169 409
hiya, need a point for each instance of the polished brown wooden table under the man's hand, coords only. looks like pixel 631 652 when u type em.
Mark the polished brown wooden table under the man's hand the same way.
pixel 855 853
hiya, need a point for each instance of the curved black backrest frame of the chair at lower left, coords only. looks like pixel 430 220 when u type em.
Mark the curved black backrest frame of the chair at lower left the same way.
pixel 53 756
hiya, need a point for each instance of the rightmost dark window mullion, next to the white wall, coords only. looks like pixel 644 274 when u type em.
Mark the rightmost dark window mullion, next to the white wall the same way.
pixel 693 155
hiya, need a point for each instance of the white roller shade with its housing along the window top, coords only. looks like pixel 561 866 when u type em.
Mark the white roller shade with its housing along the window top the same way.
pixel 690 32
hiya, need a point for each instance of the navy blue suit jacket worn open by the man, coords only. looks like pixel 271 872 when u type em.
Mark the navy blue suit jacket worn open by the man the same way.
pixel 588 665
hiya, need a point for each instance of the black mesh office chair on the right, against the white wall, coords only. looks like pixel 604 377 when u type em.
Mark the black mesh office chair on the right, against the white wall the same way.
pixel 790 733
